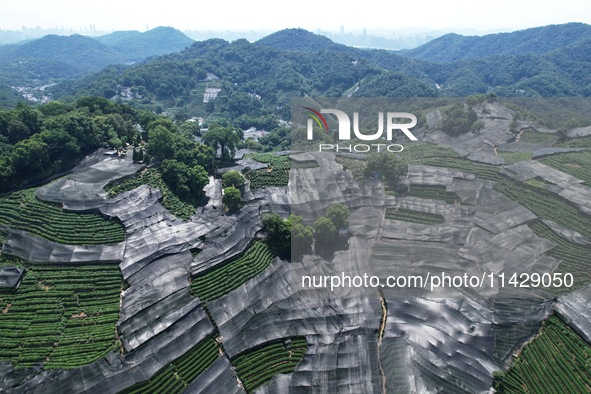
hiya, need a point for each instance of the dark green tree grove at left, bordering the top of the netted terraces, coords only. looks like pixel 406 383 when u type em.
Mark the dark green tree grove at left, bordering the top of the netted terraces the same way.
pixel 39 142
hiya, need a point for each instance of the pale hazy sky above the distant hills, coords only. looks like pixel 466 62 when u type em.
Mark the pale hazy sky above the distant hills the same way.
pixel 274 15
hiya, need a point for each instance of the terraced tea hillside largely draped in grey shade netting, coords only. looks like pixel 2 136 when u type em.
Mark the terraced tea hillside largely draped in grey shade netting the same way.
pixel 243 323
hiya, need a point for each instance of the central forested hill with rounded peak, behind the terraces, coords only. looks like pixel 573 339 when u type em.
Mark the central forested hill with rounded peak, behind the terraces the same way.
pixel 251 77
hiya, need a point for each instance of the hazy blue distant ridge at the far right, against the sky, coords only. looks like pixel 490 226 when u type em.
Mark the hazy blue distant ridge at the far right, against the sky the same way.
pixel 452 47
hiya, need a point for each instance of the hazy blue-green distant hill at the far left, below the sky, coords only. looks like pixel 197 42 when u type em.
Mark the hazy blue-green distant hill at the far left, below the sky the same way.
pixel 56 57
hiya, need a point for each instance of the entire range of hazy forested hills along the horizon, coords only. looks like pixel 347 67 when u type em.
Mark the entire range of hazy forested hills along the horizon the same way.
pixel 548 61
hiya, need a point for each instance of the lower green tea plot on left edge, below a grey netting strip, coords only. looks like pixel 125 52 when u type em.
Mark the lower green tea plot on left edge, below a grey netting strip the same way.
pixel 61 317
